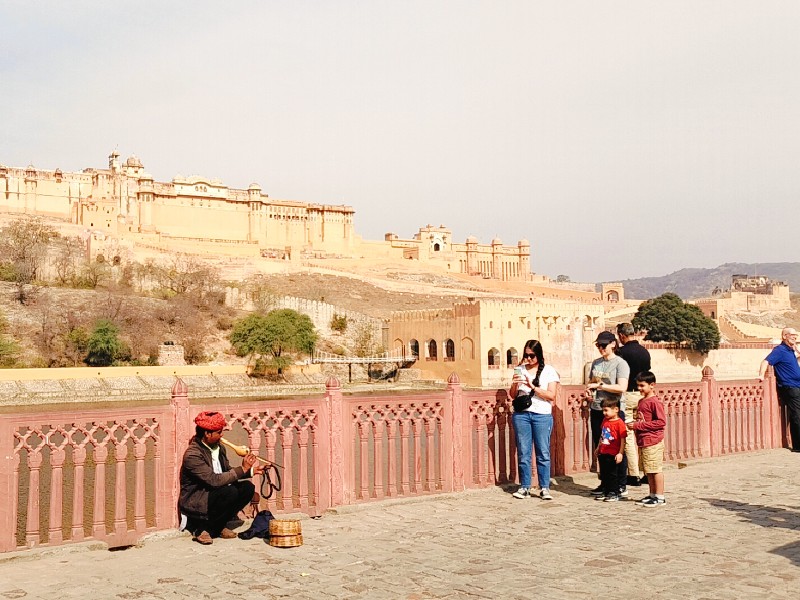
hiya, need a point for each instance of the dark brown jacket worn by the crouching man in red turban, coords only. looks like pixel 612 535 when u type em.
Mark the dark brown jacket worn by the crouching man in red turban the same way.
pixel 198 478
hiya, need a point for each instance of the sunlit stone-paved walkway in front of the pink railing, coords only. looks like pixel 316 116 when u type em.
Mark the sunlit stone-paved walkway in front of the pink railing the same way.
pixel 730 529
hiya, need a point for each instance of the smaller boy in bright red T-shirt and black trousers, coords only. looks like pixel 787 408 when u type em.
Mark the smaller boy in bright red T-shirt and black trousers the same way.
pixel 610 452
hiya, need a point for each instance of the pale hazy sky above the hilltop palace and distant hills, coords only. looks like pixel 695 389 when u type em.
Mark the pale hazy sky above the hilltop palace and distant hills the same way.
pixel 623 139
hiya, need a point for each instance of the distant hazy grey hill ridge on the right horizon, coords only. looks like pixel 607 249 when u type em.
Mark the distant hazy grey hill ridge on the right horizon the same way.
pixel 697 283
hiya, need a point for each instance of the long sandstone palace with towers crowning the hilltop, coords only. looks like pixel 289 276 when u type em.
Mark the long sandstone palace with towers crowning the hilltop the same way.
pixel 124 201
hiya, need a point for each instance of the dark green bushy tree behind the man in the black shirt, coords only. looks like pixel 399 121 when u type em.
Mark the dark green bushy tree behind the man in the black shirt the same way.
pixel 669 319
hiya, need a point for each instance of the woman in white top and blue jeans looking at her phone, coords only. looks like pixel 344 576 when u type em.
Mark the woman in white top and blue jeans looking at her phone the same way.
pixel 533 423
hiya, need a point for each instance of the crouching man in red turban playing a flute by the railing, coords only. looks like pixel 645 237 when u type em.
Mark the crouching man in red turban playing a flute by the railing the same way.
pixel 212 492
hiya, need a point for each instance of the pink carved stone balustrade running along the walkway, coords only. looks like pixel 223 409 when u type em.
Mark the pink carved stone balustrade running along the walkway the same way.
pixel 112 474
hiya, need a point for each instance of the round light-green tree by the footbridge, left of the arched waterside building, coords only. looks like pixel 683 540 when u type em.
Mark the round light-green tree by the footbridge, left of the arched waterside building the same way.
pixel 278 336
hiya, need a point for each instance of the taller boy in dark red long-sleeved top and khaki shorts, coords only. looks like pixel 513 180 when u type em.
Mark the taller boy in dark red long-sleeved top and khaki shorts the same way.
pixel 649 429
